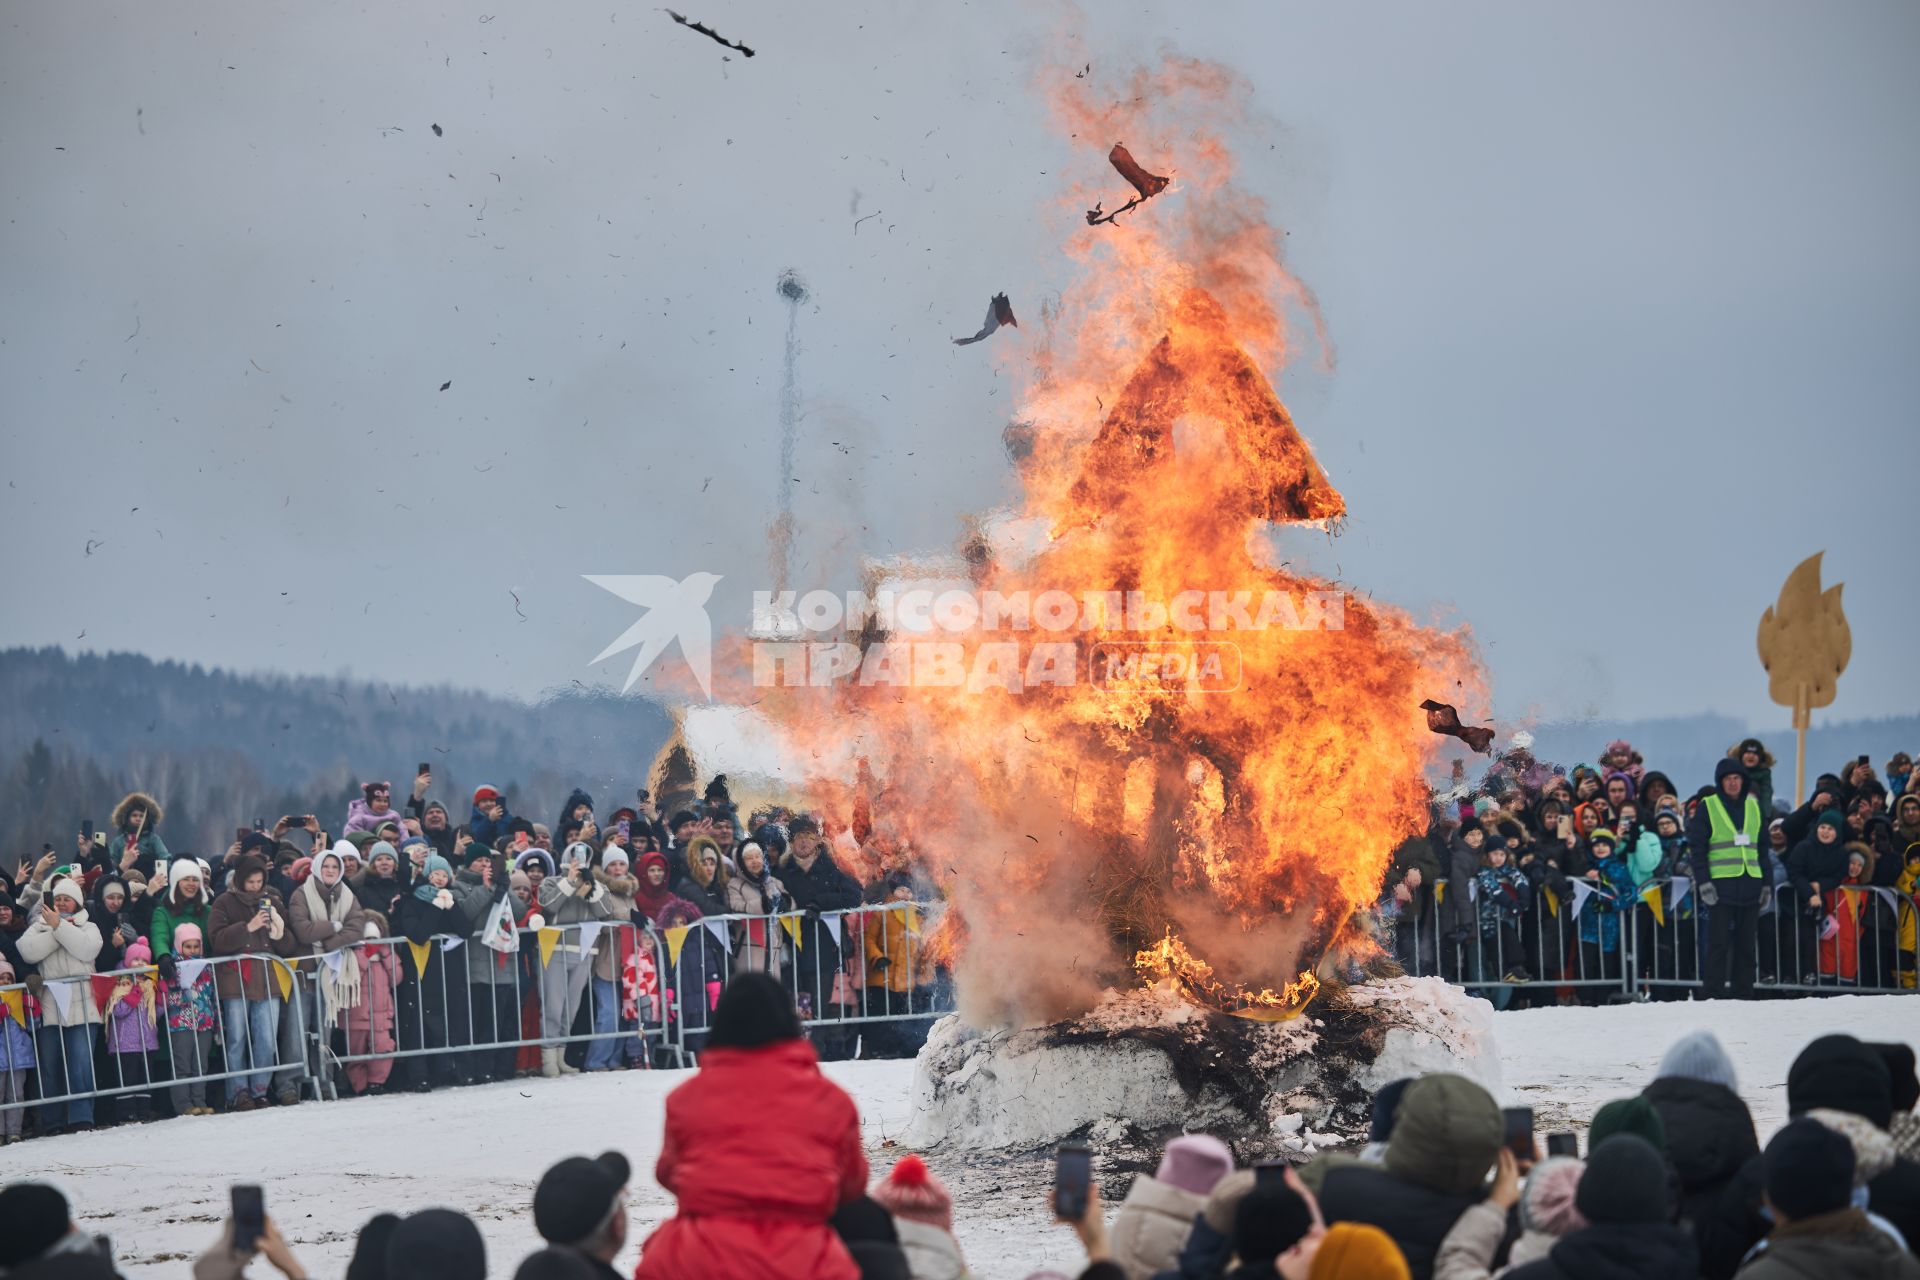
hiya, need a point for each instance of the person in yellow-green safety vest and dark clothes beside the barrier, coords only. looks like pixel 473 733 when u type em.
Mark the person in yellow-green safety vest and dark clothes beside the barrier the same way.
pixel 1733 876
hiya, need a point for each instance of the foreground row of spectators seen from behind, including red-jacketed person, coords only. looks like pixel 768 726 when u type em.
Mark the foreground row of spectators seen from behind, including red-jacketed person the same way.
pixel 1675 1185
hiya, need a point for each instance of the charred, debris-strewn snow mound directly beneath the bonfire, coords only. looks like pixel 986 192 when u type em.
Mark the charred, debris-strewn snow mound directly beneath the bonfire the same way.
pixel 1145 1066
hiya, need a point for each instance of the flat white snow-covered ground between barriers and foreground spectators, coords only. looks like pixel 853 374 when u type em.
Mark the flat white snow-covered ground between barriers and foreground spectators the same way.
pixel 160 1191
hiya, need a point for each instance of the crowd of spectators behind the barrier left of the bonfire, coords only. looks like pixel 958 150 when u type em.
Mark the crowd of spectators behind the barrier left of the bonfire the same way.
pixel 425 953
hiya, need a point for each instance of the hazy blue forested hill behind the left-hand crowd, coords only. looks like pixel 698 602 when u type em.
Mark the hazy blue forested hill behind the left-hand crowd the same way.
pixel 222 749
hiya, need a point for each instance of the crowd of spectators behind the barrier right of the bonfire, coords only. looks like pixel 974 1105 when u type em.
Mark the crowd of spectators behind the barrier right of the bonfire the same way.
pixel 1558 886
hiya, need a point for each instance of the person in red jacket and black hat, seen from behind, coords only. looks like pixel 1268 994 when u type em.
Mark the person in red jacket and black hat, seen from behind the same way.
pixel 756 1198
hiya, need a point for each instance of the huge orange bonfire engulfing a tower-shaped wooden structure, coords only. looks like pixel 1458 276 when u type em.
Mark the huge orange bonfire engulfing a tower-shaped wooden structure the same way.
pixel 1216 822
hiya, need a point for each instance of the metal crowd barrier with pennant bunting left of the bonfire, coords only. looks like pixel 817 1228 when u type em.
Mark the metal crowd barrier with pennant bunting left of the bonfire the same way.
pixel 433 1014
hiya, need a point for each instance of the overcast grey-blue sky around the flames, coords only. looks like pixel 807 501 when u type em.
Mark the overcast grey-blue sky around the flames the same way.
pixel 1625 302
